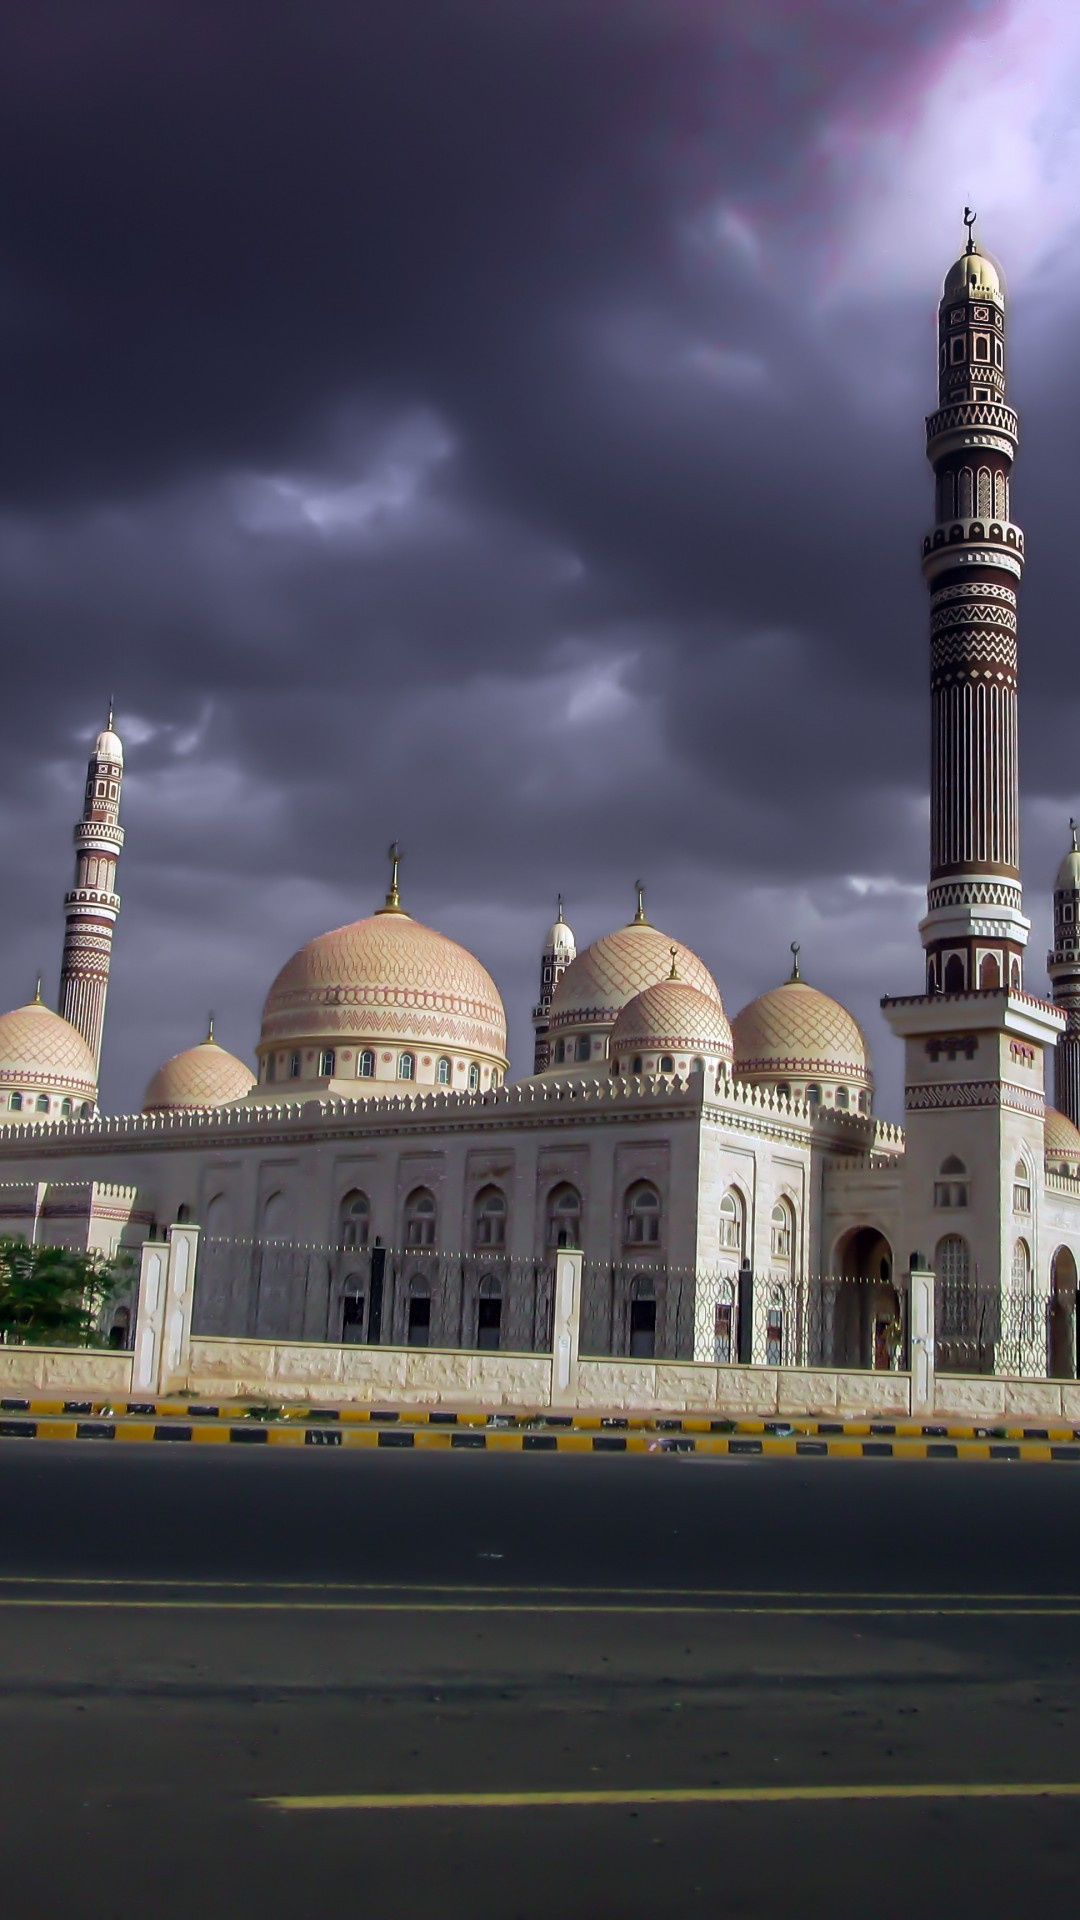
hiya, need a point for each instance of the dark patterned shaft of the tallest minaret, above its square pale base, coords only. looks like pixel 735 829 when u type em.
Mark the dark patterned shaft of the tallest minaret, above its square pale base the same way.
pixel 975 928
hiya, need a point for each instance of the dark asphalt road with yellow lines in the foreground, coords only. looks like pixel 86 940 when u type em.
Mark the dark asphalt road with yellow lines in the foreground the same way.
pixel 203 1648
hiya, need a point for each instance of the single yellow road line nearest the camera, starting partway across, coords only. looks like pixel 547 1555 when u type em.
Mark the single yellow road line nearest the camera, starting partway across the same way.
pixel 664 1796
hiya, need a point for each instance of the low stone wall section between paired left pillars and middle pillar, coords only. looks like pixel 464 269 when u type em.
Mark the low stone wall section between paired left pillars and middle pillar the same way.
pixel 391 1376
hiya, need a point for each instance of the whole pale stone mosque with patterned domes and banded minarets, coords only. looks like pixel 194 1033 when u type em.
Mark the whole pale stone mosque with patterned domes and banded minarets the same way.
pixel 654 1132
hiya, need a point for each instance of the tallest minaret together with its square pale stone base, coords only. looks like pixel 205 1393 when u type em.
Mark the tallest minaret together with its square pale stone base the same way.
pixel 975 1042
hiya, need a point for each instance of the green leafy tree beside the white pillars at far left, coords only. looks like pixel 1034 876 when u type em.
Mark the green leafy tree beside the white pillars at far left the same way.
pixel 55 1297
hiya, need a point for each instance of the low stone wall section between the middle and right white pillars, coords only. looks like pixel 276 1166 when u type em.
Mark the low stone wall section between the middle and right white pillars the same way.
pixel 641 1385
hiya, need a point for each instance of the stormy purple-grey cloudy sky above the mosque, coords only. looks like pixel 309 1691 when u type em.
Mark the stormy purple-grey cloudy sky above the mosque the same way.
pixel 499 423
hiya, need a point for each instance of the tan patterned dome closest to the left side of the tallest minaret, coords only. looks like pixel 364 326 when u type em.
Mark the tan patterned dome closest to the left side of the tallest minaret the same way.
pixel 800 1030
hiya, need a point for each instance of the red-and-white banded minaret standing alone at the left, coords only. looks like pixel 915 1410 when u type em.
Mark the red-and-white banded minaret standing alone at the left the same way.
pixel 93 905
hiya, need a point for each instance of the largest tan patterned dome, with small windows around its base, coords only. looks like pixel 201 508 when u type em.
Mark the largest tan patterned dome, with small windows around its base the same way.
pixel 387 978
